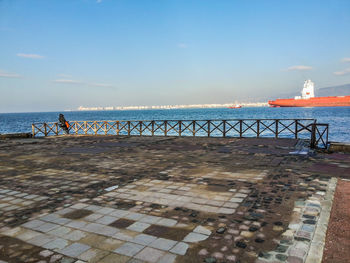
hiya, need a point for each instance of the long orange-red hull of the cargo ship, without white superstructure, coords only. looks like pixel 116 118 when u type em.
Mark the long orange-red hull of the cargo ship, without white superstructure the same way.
pixel 340 101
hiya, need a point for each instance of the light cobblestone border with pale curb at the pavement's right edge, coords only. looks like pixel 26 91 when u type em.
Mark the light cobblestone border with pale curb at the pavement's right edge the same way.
pixel 304 239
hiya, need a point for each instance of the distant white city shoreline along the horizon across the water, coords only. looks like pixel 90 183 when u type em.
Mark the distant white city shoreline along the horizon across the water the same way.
pixel 172 107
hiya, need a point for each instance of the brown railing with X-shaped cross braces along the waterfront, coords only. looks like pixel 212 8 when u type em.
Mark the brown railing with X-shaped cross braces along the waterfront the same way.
pixel 277 128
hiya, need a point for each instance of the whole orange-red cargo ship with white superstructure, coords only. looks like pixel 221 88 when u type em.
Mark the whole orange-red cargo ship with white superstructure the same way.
pixel 308 99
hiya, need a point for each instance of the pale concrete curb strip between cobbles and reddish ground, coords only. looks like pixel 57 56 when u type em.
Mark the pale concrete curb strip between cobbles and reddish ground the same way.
pixel 318 242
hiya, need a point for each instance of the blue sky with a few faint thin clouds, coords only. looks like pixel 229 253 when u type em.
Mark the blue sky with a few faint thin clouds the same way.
pixel 61 54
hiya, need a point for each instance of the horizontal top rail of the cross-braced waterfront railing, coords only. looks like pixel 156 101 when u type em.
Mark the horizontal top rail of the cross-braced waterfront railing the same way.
pixel 280 119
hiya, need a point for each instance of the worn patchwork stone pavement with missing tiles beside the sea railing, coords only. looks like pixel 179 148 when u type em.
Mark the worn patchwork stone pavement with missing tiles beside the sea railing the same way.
pixel 163 199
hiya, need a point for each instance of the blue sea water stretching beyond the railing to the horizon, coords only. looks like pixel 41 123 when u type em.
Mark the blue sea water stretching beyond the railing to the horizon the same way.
pixel 338 117
